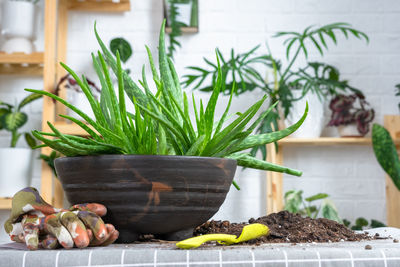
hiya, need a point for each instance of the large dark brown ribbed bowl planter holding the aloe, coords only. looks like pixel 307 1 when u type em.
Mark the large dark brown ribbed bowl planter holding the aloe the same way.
pixel 148 194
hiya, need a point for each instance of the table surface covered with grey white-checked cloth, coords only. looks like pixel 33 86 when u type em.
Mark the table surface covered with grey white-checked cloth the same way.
pixel 384 253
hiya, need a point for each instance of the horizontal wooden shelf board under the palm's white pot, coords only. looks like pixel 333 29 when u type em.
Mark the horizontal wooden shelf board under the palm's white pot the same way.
pixel 326 141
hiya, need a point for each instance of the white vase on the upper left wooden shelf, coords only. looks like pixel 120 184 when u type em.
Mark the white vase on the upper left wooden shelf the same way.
pixel 18 18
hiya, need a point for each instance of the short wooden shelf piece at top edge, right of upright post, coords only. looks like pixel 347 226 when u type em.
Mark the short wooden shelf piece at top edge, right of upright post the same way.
pixel 100 5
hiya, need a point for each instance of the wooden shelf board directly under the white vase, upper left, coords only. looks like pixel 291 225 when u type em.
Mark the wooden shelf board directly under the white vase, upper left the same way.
pixel 21 63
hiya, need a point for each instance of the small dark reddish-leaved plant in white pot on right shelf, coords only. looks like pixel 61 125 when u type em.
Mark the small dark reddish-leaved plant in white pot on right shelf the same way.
pixel 351 113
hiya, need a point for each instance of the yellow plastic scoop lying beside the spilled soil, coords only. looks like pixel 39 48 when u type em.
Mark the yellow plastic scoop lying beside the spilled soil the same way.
pixel 249 232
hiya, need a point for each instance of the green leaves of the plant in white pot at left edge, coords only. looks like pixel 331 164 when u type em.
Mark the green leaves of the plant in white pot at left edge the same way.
pixel 12 119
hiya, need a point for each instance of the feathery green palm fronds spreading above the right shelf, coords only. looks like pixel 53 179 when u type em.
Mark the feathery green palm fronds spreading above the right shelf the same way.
pixel 315 77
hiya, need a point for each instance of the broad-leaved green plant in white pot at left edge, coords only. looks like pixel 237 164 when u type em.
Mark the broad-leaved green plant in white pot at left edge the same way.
pixel 15 163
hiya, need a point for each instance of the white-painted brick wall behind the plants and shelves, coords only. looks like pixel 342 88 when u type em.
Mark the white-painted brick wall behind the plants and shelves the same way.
pixel 350 175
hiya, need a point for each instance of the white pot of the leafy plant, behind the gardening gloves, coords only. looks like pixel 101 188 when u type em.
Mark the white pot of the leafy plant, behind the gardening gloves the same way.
pixel 15 170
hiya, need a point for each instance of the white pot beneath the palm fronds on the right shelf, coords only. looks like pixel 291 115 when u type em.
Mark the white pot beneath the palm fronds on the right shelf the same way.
pixel 314 123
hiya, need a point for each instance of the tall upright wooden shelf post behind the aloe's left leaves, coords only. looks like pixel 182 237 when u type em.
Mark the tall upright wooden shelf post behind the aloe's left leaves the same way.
pixel 49 75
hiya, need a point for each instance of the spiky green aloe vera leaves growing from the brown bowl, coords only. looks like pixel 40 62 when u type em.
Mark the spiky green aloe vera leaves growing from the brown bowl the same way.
pixel 160 123
